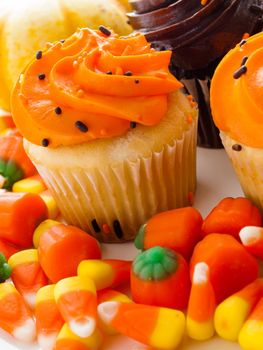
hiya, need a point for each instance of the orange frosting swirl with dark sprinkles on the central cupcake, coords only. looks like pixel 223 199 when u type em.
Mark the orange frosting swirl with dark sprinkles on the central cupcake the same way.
pixel 93 85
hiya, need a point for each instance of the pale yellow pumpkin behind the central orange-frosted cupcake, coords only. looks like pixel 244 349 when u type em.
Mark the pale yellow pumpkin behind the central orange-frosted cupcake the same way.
pixel 26 26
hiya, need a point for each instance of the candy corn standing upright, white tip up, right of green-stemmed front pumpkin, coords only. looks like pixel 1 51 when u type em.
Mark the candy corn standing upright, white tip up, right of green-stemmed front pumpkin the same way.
pixel 201 306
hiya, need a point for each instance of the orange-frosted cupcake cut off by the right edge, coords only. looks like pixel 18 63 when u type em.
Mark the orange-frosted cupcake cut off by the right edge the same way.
pixel 237 108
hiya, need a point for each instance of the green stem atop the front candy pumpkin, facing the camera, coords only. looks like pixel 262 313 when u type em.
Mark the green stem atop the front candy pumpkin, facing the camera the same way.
pixel 155 264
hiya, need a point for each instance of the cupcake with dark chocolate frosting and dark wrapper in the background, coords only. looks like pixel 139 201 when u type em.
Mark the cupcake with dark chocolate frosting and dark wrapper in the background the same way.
pixel 199 33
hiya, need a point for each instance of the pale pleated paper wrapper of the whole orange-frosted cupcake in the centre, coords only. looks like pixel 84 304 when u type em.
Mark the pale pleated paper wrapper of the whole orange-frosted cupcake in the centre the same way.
pixel 113 202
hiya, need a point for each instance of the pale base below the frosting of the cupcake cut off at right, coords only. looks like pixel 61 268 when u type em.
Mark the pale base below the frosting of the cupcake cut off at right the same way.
pixel 248 165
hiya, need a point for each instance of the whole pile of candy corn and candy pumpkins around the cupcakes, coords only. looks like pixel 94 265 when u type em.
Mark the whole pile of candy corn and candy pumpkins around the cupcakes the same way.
pixel 192 275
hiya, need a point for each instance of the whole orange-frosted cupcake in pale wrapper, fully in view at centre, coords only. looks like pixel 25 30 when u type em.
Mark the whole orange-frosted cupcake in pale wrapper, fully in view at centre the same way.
pixel 109 131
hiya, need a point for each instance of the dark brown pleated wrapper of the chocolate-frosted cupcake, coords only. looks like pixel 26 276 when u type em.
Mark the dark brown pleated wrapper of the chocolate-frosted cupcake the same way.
pixel 208 134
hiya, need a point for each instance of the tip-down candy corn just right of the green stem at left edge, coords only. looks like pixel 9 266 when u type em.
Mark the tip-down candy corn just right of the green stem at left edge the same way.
pixel 27 274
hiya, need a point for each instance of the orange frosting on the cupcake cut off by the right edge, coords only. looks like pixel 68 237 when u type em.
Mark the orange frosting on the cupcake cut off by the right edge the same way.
pixel 237 103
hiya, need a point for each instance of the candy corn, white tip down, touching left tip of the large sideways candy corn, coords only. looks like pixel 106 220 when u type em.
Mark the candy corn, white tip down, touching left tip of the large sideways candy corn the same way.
pixel 77 302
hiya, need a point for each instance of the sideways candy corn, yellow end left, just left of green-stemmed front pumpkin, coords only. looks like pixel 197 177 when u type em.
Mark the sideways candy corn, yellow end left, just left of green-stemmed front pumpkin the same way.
pixel 105 273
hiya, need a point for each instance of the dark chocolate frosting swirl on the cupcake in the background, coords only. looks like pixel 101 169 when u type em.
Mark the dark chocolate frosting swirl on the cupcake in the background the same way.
pixel 198 31
